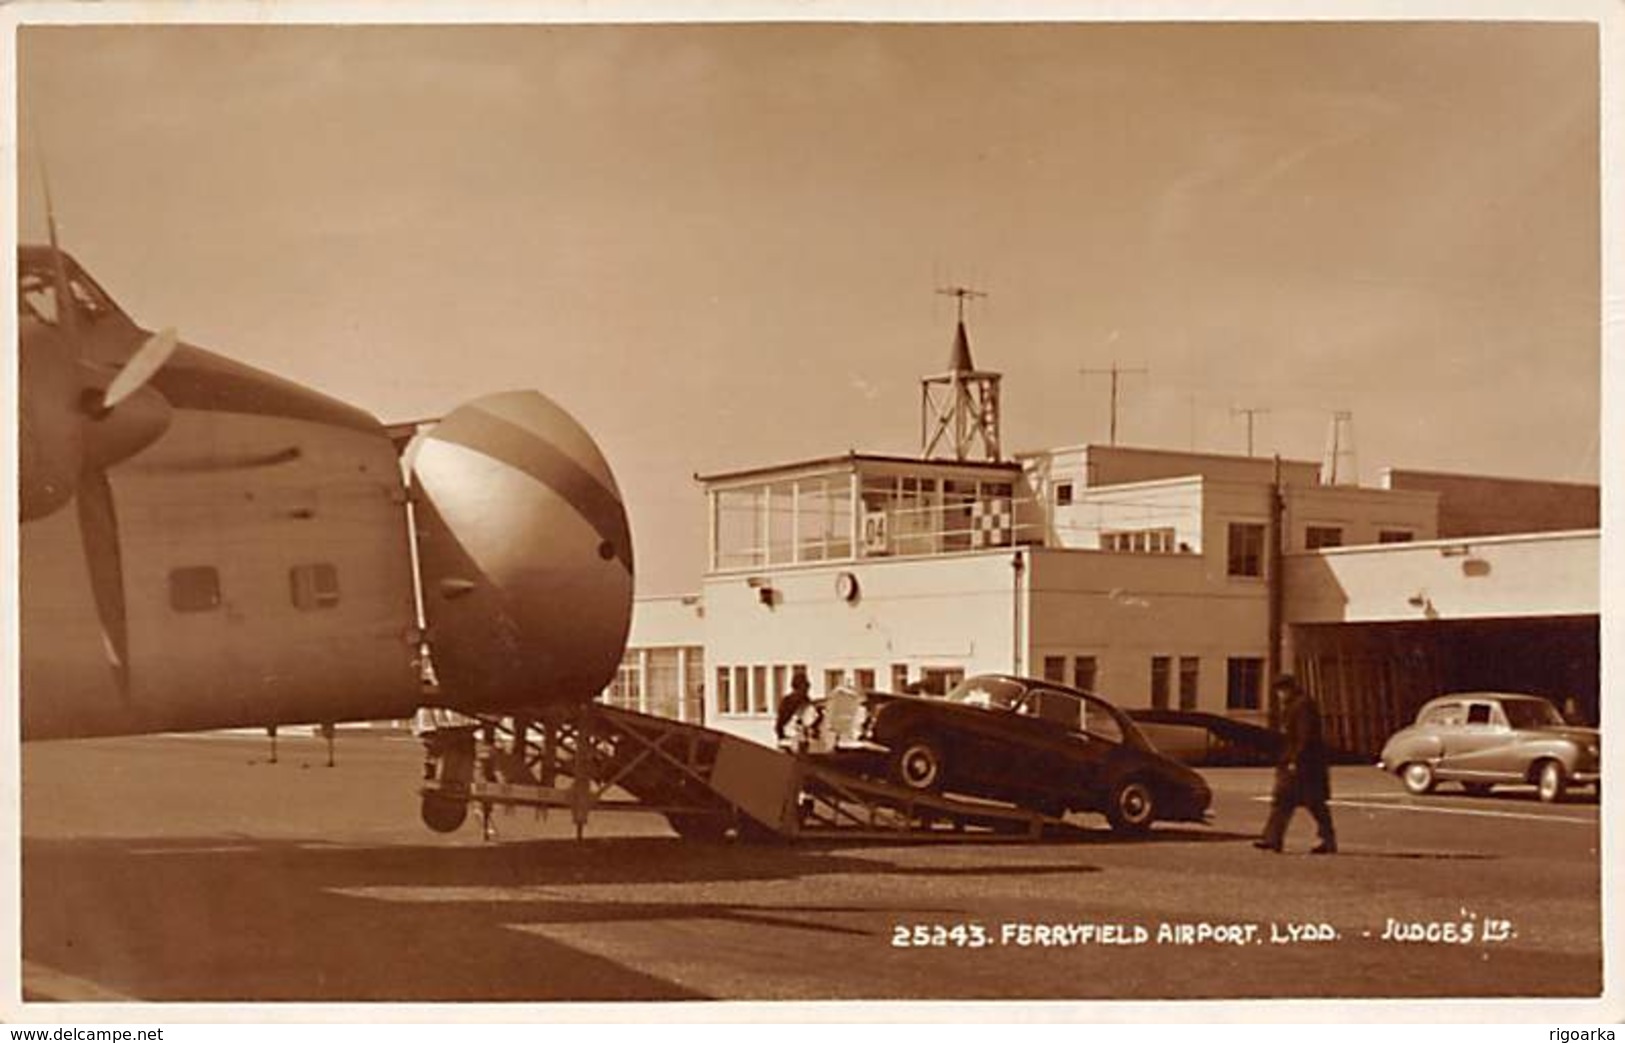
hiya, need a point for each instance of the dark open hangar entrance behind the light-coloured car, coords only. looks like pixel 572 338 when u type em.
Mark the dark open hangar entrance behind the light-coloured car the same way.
pixel 1372 678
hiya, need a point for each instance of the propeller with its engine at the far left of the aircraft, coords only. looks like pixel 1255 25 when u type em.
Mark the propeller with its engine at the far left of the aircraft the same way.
pixel 80 418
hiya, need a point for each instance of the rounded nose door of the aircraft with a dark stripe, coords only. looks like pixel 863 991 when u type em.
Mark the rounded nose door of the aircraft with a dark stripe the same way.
pixel 526 556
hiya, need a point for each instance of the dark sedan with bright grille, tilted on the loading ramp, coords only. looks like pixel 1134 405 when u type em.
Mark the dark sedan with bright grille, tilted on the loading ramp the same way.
pixel 1031 743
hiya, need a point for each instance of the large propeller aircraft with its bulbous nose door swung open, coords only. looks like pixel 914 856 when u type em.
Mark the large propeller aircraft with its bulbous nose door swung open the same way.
pixel 206 545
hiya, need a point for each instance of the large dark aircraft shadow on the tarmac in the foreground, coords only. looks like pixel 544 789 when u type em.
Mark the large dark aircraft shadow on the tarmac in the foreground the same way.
pixel 232 919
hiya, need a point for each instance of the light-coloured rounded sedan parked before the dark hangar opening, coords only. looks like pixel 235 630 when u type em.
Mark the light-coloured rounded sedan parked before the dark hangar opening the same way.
pixel 1486 738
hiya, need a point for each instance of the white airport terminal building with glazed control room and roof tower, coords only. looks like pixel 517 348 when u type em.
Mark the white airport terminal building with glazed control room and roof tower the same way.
pixel 1153 578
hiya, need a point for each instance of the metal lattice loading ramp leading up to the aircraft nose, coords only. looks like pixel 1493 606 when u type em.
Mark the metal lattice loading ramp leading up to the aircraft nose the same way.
pixel 708 784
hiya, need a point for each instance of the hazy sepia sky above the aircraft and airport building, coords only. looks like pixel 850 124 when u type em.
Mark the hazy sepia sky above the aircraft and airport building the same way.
pixel 719 246
